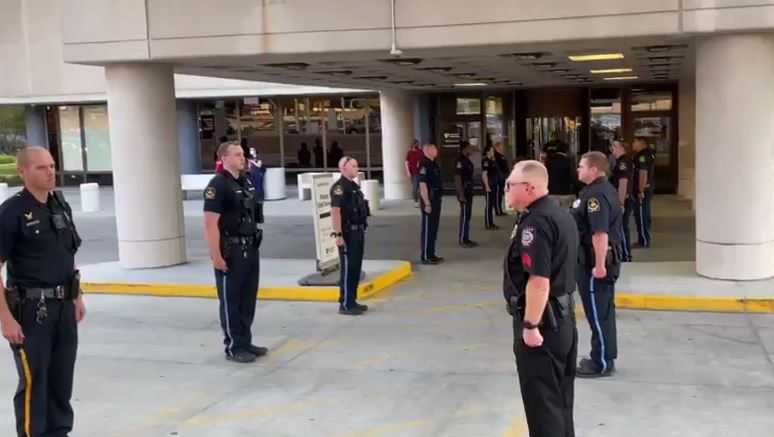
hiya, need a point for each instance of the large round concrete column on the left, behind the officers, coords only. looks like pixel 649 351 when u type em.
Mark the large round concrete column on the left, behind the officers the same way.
pixel 146 165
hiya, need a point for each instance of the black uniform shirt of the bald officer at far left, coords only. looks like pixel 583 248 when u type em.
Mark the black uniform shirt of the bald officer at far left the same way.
pixel 38 254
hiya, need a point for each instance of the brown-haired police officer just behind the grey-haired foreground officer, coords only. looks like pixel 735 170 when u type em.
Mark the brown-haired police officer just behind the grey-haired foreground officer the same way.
pixel 598 213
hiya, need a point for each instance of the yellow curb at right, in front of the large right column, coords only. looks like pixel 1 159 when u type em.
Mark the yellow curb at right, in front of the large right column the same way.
pixel 723 304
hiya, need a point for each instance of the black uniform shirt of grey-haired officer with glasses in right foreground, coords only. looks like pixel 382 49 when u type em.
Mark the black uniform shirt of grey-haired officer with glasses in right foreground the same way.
pixel 545 243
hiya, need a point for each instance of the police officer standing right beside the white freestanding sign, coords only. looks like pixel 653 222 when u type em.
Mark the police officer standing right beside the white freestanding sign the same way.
pixel 350 214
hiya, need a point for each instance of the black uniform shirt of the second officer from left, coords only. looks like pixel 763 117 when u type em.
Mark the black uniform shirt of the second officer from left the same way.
pixel 234 199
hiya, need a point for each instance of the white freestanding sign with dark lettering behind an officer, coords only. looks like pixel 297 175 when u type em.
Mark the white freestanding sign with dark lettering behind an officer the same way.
pixel 327 251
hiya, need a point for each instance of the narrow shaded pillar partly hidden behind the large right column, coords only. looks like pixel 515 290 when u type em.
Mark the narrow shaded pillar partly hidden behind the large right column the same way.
pixel 687 143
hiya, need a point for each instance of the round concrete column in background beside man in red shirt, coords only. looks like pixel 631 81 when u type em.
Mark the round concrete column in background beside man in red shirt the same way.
pixel 397 111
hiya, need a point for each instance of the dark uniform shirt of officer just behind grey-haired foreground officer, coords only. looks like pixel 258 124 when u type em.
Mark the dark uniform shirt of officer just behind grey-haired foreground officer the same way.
pixel 598 210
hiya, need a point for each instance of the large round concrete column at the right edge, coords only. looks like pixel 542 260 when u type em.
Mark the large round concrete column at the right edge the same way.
pixel 734 157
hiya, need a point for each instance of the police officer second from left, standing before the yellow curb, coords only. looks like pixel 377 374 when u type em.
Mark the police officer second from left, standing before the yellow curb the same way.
pixel 233 238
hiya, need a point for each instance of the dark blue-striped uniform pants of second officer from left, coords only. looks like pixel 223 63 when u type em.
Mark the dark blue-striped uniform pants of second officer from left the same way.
pixel 237 293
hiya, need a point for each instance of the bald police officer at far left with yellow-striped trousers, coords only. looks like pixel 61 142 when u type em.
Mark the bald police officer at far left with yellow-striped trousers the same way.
pixel 41 306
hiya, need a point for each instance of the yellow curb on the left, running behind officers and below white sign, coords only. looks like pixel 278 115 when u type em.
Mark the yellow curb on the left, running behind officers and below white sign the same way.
pixel 366 289
